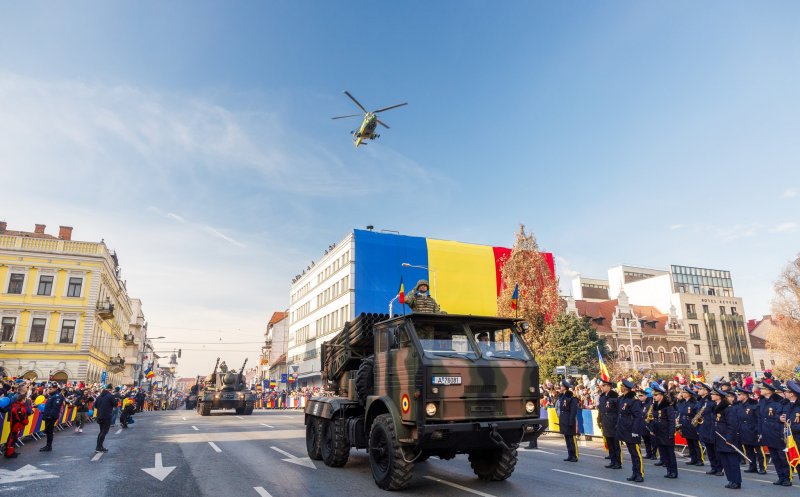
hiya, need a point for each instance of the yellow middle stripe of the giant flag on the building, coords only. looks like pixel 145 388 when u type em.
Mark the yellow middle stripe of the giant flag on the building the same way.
pixel 465 280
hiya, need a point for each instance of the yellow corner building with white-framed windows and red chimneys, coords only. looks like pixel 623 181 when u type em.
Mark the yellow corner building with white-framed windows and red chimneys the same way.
pixel 64 309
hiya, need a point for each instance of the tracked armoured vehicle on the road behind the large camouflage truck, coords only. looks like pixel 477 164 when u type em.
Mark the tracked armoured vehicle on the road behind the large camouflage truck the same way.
pixel 225 391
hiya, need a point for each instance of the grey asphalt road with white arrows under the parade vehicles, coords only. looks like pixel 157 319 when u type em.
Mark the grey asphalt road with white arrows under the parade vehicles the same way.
pixel 264 455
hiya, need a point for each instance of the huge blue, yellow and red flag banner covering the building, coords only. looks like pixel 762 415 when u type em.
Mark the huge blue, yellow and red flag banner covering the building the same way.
pixel 465 278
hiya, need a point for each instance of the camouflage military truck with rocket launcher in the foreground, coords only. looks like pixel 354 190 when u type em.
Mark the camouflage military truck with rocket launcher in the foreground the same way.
pixel 410 387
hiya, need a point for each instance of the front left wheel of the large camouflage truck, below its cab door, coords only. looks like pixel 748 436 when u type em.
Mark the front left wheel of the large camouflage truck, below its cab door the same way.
pixel 389 468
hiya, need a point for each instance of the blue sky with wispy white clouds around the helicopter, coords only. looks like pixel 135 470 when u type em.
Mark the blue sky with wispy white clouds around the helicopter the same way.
pixel 195 138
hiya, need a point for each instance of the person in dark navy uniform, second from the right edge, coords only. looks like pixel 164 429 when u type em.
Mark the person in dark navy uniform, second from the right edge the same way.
pixel 770 427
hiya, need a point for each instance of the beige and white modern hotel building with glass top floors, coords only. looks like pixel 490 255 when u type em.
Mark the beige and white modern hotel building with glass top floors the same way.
pixel 705 303
